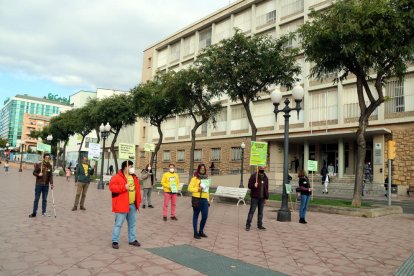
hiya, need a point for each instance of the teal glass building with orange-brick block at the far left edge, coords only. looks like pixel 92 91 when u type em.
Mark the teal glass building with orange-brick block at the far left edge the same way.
pixel 23 113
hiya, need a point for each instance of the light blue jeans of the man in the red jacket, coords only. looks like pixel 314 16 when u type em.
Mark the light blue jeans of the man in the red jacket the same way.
pixel 131 218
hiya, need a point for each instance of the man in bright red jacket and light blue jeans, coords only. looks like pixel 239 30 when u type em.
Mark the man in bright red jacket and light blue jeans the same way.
pixel 126 199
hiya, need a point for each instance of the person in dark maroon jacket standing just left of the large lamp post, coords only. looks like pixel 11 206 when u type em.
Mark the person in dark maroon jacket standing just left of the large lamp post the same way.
pixel 259 193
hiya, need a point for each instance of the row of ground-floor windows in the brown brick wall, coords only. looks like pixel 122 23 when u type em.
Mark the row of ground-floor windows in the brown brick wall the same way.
pixel 215 155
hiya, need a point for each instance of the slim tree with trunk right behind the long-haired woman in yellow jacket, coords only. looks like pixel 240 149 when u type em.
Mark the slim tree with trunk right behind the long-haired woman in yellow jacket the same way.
pixel 194 100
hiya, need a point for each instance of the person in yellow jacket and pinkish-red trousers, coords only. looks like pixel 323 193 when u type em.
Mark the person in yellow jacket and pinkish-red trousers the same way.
pixel 170 182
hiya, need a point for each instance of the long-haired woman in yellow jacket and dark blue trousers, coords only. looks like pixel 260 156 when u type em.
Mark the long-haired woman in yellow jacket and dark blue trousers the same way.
pixel 199 186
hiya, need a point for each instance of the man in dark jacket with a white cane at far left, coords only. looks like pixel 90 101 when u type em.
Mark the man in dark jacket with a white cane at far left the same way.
pixel 44 177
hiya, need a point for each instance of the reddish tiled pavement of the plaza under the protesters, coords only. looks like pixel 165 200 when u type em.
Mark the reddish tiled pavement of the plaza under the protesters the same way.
pixel 79 243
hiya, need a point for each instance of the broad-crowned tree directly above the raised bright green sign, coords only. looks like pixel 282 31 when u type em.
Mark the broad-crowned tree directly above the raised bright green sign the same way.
pixel 244 66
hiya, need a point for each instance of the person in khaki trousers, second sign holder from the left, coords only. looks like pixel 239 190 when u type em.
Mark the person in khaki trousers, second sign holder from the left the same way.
pixel 82 178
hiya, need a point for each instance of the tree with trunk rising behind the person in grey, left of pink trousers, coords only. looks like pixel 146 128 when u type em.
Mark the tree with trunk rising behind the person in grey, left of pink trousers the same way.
pixel 154 104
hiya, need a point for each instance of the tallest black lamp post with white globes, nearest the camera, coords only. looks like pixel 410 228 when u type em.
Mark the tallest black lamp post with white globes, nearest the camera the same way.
pixel 283 213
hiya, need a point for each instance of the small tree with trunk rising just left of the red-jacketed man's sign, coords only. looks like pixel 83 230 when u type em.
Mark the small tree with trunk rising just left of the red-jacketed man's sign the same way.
pixel 119 111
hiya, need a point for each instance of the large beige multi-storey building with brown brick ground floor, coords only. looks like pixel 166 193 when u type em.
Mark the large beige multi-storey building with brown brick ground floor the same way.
pixel 325 129
